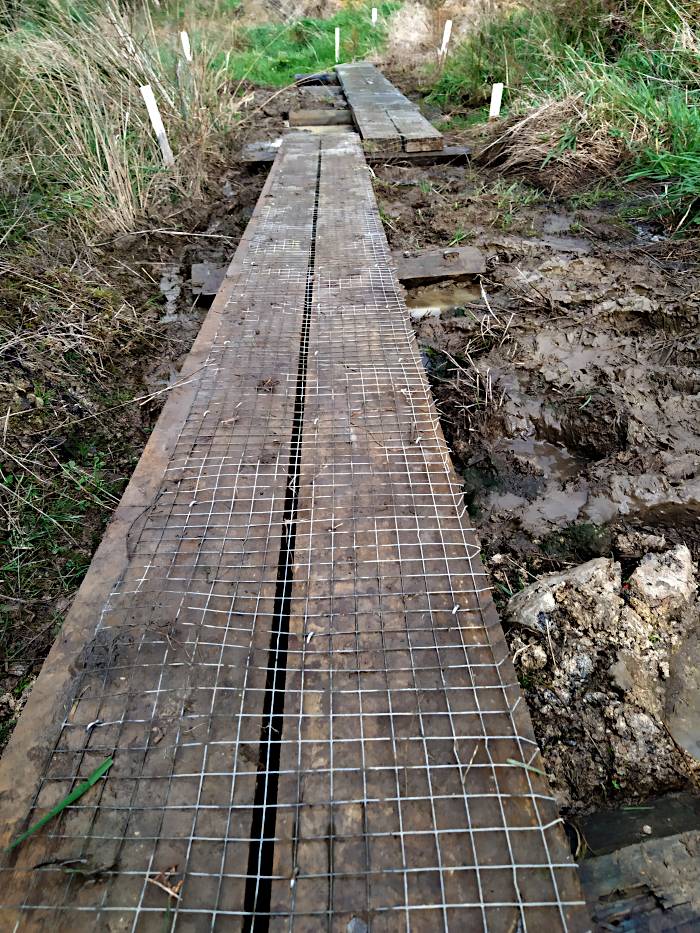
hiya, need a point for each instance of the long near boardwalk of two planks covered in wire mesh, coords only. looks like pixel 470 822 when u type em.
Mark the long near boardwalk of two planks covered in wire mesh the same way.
pixel 286 640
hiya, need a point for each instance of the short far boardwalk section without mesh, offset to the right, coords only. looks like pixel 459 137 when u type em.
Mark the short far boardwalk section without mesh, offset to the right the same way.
pixel 386 120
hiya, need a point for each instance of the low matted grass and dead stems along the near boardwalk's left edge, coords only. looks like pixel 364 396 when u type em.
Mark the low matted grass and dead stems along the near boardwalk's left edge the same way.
pixel 70 347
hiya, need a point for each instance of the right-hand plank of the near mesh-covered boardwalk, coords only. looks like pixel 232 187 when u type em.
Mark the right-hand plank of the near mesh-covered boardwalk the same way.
pixel 389 633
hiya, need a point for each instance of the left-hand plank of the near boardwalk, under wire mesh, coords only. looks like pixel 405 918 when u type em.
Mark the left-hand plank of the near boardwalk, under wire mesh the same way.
pixel 161 662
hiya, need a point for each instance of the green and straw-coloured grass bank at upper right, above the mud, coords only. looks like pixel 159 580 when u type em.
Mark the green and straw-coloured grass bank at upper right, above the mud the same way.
pixel 629 74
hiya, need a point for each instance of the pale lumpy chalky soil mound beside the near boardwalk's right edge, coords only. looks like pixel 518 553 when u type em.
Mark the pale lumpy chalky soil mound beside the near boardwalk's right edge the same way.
pixel 602 664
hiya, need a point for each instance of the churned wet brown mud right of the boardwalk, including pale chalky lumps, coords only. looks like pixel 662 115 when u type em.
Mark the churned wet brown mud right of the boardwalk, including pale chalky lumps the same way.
pixel 568 385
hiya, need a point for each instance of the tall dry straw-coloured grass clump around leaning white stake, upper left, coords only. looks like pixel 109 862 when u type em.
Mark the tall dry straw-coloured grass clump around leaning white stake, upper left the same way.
pixel 76 144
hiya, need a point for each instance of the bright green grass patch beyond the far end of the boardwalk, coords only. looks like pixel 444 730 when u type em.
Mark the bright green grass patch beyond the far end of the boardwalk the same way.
pixel 272 54
